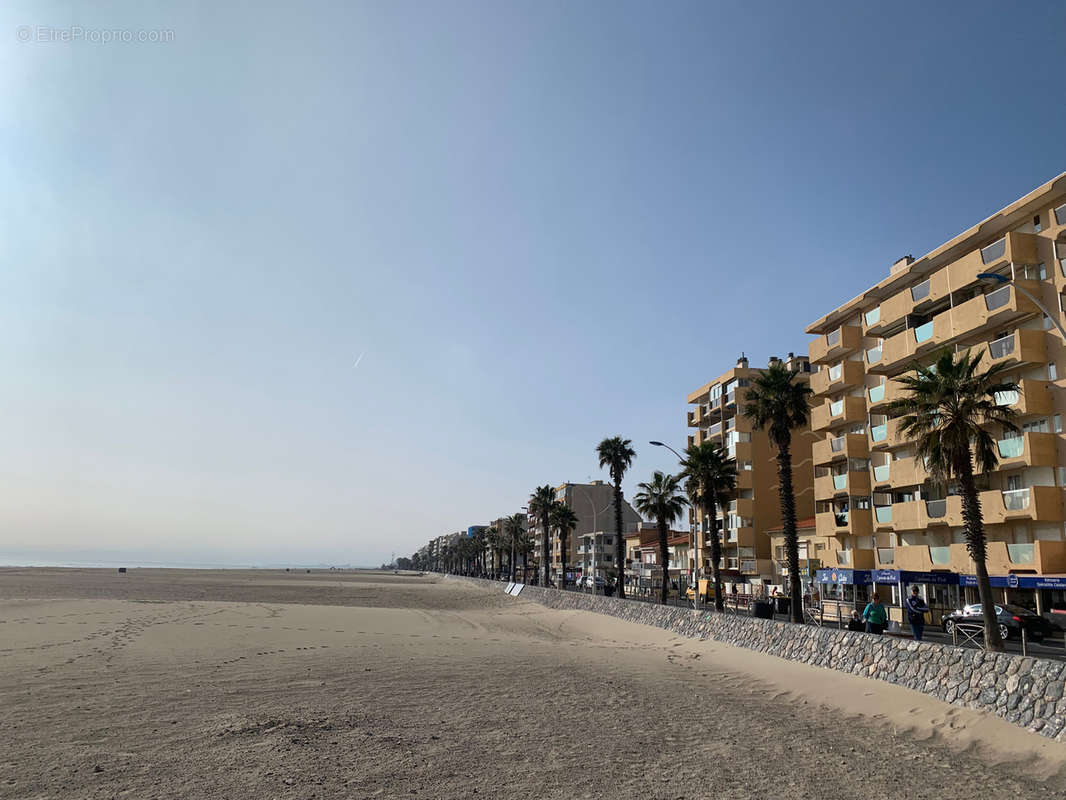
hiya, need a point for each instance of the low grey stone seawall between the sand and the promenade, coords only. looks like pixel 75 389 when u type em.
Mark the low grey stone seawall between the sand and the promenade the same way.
pixel 1024 691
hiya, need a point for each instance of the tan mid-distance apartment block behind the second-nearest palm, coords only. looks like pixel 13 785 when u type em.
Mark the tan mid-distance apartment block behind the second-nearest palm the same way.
pixel 755 509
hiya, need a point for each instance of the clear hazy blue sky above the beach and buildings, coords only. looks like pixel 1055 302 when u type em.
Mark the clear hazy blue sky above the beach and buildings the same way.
pixel 532 225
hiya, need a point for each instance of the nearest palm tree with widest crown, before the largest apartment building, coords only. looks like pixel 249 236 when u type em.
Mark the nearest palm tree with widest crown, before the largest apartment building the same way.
pixel 947 410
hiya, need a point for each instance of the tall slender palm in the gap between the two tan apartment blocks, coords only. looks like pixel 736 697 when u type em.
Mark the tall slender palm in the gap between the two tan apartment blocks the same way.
pixel 779 405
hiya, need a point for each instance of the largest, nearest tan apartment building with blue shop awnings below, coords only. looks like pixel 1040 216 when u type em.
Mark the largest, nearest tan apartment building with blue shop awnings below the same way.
pixel 881 518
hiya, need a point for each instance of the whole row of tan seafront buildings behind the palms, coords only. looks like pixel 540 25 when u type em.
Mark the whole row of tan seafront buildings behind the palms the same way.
pixel 869 515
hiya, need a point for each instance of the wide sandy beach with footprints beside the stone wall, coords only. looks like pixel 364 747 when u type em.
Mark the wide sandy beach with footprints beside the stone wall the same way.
pixel 182 684
